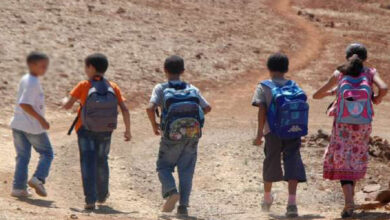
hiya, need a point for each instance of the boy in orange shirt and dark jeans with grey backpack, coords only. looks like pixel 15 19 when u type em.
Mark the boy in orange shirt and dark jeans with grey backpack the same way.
pixel 97 118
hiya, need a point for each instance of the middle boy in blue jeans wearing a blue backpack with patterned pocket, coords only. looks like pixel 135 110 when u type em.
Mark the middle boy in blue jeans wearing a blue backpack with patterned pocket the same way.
pixel 183 109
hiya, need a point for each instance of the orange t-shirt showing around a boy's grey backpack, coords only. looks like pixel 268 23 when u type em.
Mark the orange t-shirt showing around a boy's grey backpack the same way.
pixel 80 92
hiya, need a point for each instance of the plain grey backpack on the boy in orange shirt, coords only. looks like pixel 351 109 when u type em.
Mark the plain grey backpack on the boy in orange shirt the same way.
pixel 100 111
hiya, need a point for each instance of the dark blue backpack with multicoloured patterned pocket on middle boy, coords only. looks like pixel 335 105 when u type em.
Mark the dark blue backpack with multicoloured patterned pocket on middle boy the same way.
pixel 182 116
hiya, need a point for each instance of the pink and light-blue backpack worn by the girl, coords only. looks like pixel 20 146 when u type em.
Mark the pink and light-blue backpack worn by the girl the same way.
pixel 354 99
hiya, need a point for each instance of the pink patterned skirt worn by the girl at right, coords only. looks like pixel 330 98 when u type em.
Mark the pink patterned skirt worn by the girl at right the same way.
pixel 346 157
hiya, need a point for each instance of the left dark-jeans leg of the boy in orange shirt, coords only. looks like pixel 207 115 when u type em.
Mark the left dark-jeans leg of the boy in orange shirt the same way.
pixel 88 165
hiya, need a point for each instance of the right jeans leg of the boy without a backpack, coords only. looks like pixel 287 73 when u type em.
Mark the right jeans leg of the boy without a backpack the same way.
pixel 42 145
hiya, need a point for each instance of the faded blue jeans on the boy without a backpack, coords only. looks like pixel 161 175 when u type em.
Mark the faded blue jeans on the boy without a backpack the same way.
pixel 23 142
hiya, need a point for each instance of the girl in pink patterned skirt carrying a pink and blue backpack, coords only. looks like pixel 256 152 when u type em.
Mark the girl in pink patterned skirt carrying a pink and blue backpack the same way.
pixel 346 157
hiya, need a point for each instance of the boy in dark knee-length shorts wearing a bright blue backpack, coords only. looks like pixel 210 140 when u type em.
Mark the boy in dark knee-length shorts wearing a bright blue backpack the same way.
pixel 282 125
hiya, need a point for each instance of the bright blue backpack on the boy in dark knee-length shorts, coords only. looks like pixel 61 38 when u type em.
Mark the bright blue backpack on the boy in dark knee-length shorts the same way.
pixel 288 112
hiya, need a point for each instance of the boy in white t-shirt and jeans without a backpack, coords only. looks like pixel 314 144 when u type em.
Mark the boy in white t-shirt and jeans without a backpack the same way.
pixel 29 129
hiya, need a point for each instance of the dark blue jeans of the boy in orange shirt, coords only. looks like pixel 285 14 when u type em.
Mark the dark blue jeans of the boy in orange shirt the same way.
pixel 94 149
